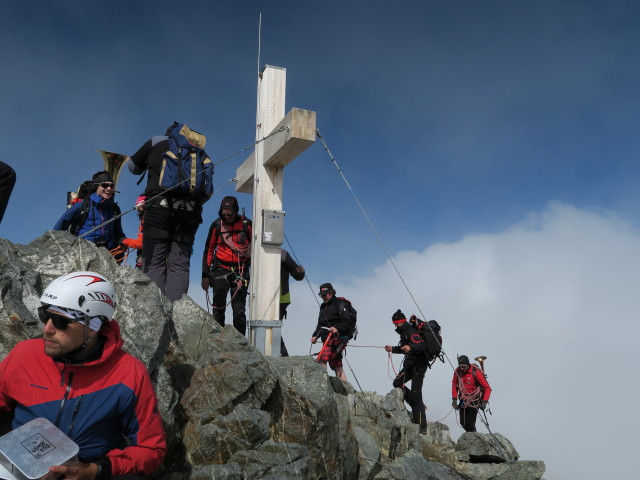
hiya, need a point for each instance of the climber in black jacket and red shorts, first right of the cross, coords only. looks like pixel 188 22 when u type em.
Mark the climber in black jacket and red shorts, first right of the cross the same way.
pixel 336 326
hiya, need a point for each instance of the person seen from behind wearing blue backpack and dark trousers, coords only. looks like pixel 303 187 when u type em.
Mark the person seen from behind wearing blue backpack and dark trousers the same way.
pixel 179 182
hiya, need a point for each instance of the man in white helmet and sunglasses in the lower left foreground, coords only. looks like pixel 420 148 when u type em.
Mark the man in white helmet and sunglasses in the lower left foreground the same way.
pixel 78 377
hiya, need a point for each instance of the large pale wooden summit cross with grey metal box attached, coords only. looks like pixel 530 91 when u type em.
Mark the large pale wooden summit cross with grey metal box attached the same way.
pixel 262 175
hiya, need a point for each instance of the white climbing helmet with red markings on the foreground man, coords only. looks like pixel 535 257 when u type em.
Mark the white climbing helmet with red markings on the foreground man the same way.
pixel 87 292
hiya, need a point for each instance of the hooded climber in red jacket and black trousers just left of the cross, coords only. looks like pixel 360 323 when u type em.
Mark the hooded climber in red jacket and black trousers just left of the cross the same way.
pixel 225 262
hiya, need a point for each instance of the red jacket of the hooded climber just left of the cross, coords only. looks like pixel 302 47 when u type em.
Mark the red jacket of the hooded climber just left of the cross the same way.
pixel 227 243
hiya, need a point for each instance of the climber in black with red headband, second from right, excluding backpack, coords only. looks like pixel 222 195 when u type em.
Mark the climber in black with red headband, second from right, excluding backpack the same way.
pixel 414 367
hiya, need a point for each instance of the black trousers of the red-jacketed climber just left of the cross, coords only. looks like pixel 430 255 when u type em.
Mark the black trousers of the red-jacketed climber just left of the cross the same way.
pixel 224 280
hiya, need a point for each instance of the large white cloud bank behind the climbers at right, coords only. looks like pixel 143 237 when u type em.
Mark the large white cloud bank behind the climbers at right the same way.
pixel 551 303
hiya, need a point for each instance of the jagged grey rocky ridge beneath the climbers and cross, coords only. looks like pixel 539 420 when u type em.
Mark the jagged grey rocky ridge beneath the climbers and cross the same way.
pixel 231 413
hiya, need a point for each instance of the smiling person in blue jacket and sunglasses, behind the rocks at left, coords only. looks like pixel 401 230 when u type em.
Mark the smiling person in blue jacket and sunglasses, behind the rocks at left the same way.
pixel 90 218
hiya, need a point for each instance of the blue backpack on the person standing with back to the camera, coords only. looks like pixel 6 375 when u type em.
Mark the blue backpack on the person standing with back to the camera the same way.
pixel 186 169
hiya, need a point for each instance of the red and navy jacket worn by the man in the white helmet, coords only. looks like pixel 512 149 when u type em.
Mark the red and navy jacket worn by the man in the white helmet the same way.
pixel 107 406
